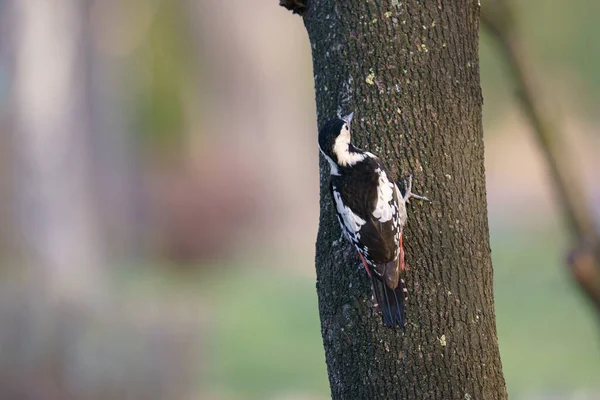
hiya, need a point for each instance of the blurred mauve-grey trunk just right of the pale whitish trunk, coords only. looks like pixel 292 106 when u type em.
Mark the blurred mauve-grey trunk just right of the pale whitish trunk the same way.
pixel 118 195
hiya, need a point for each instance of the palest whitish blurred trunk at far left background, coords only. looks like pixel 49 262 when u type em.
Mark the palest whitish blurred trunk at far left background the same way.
pixel 56 220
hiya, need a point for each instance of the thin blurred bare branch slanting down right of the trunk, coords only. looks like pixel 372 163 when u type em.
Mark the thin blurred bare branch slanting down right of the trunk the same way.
pixel 498 18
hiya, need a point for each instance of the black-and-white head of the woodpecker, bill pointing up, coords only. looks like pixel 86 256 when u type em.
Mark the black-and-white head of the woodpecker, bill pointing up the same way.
pixel 334 143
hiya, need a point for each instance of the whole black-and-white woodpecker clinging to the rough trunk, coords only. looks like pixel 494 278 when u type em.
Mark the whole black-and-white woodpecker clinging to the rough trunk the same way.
pixel 371 211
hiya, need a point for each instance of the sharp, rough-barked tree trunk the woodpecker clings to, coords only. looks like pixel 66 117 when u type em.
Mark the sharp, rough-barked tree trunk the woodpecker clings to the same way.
pixel 410 71
